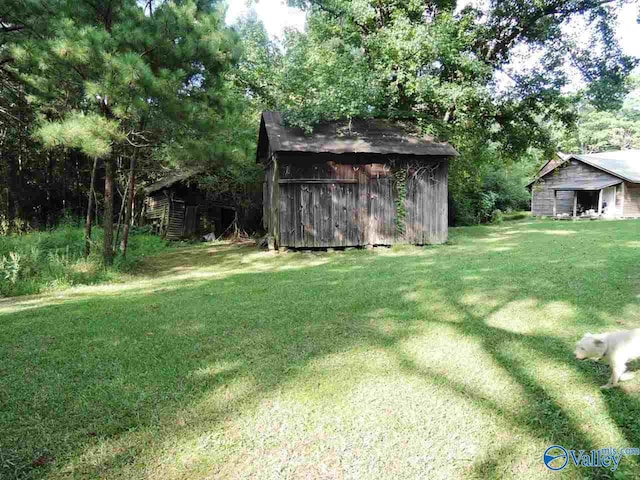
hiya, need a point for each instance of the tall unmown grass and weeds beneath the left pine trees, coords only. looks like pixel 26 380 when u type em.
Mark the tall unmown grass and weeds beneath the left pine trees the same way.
pixel 53 259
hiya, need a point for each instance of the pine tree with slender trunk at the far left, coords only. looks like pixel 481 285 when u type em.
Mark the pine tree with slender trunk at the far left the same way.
pixel 112 78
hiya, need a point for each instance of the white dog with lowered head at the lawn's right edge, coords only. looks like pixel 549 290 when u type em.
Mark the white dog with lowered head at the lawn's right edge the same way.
pixel 615 348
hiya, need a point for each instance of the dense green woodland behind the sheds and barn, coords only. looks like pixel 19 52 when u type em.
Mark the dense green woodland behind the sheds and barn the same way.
pixel 101 97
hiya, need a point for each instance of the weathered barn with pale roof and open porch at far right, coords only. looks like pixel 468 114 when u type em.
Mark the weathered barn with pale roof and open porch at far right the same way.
pixel 597 185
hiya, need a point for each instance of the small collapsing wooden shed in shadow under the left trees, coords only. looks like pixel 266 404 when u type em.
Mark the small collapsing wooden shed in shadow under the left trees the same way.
pixel 177 208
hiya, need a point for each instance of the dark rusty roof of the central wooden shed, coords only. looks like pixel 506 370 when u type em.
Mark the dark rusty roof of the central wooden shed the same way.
pixel 358 136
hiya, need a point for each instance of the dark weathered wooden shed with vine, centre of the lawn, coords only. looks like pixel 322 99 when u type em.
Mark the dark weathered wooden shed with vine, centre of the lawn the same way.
pixel 352 183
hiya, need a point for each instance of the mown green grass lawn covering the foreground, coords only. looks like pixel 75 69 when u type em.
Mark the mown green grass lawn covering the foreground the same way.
pixel 222 361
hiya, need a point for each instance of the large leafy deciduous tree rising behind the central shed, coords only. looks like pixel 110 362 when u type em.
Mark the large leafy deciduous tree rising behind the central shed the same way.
pixel 457 72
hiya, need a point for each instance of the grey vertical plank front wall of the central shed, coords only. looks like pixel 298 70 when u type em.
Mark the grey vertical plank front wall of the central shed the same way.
pixel 331 204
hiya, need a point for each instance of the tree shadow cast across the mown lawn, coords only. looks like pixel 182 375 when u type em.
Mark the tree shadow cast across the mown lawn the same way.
pixel 97 386
